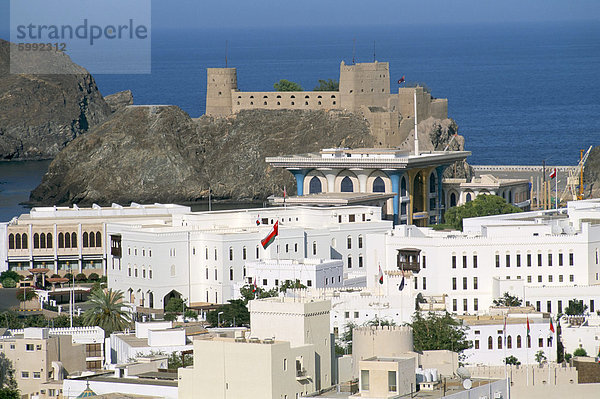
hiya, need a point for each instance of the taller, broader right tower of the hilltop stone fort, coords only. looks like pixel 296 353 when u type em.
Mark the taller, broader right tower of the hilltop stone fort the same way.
pixel 365 84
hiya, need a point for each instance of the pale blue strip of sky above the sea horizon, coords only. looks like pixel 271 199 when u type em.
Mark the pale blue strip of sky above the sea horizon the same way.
pixel 227 14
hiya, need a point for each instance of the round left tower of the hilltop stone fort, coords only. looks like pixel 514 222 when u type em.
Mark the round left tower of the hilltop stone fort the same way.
pixel 219 84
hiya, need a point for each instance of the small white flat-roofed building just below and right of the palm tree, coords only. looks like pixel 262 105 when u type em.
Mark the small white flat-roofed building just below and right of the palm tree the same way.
pixel 149 338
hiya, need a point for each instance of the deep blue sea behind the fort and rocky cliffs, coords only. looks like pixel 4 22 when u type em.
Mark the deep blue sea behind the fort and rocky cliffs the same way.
pixel 521 93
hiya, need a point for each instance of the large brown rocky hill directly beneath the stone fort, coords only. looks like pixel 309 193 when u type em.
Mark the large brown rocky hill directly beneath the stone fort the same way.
pixel 159 154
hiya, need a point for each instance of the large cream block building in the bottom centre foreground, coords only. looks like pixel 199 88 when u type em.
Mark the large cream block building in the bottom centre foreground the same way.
pixel 288 355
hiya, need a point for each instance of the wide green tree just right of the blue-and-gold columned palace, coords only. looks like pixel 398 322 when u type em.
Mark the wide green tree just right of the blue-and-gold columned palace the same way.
pixel 483 205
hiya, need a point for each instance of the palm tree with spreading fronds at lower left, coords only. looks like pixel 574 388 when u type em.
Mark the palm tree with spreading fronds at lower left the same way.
pixel 107 311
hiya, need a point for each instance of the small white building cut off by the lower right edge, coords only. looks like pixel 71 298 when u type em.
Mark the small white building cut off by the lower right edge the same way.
pixel 581 332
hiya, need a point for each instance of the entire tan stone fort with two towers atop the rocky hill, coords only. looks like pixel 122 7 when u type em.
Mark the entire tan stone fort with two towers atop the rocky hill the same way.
pixel 364 88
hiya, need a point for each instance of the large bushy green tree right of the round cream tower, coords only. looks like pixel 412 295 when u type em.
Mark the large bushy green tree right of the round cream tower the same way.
pixel 433 332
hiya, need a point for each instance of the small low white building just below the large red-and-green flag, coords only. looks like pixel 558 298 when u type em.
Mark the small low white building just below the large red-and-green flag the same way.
pixel 310 272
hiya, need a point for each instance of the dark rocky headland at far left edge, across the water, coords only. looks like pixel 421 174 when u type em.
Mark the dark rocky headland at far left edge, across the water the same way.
pixel 41 114
